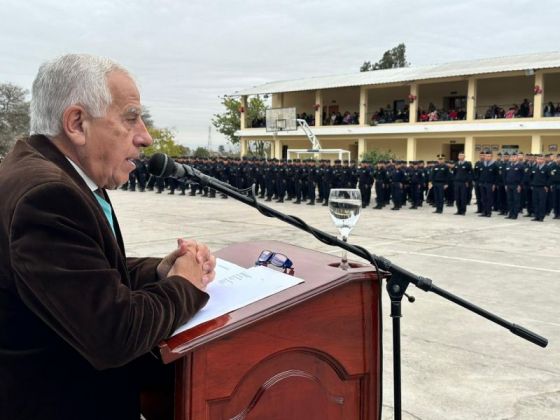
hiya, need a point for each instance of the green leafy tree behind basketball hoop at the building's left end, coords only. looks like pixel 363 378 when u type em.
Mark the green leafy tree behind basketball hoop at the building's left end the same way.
pixel 229 122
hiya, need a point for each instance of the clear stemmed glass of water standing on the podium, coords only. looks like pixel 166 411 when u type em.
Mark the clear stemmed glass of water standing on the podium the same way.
pixel 344 206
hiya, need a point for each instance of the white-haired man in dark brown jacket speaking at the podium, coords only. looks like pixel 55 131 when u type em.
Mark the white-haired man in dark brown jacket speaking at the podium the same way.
pixel 77 318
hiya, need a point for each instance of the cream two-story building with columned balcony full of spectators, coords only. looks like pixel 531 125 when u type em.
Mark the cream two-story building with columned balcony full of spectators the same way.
pixel 501 104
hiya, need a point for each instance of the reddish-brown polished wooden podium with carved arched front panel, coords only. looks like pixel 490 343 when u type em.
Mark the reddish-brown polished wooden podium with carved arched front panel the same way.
pixel 310 352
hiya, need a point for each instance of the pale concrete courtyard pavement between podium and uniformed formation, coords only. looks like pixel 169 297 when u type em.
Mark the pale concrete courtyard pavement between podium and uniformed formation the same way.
pixel 456 365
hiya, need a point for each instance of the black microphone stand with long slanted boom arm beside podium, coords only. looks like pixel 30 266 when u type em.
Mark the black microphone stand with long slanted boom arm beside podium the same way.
pixel 397 282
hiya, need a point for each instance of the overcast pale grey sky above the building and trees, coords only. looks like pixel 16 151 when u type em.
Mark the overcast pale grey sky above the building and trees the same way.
pixel 187 54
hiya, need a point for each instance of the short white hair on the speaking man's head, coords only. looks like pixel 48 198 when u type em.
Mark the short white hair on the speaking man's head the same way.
pixel 72 79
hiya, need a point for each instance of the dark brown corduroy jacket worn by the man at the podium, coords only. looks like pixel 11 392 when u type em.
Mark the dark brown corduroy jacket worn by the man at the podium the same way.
pixel 76 315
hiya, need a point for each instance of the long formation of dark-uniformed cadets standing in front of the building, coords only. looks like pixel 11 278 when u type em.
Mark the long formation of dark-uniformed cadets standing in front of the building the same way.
pixel 530 182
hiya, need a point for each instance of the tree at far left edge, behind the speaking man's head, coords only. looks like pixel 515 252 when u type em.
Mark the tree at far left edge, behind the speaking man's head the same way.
pixel 14 115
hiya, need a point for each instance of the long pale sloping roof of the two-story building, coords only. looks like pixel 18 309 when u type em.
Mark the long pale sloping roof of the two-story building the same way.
pixel 409 74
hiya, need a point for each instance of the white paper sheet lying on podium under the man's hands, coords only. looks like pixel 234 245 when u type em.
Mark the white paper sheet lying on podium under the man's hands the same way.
pixel 235 287
